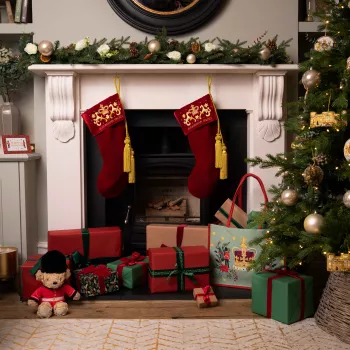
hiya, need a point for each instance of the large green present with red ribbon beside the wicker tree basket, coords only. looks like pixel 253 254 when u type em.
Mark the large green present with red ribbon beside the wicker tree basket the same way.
pixel 284 296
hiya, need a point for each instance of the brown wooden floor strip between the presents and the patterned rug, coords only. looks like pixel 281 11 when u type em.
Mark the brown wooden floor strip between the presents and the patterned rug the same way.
pixel 12 308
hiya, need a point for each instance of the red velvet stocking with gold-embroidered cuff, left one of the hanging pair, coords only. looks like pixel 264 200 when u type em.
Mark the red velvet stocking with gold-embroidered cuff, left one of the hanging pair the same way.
pixel 106 121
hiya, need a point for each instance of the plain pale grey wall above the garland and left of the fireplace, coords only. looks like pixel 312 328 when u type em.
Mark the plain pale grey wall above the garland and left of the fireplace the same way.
pixel 71 20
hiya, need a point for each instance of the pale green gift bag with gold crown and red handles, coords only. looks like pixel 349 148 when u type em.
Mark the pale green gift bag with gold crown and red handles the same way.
pixel 230 251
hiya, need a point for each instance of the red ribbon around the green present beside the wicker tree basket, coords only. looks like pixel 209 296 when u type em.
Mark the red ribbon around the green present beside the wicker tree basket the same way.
pixel 281 274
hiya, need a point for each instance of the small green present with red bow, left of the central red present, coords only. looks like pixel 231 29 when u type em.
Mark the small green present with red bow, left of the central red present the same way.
pixel 131 271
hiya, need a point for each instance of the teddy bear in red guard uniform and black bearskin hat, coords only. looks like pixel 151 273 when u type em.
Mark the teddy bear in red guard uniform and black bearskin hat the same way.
pixel 50 298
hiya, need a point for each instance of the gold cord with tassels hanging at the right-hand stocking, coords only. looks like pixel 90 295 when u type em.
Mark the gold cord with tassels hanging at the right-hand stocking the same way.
pixel 220 147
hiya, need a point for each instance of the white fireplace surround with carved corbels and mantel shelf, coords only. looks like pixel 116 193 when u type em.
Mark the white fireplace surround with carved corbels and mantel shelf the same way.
pixel 259 90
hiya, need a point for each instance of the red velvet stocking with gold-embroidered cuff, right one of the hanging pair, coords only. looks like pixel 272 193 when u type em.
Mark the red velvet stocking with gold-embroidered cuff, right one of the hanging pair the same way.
pixel 199 122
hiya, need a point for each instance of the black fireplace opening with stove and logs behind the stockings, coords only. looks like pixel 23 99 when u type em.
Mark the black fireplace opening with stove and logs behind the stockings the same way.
pixel 163 164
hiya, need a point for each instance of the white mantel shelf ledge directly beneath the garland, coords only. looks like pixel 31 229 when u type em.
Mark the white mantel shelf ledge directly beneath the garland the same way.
pixel 43 69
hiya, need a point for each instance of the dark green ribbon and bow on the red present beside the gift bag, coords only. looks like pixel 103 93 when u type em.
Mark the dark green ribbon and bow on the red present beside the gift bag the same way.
pixel 180 271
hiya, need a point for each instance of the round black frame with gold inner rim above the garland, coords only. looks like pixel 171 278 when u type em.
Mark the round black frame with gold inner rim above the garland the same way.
pixel 175 22
